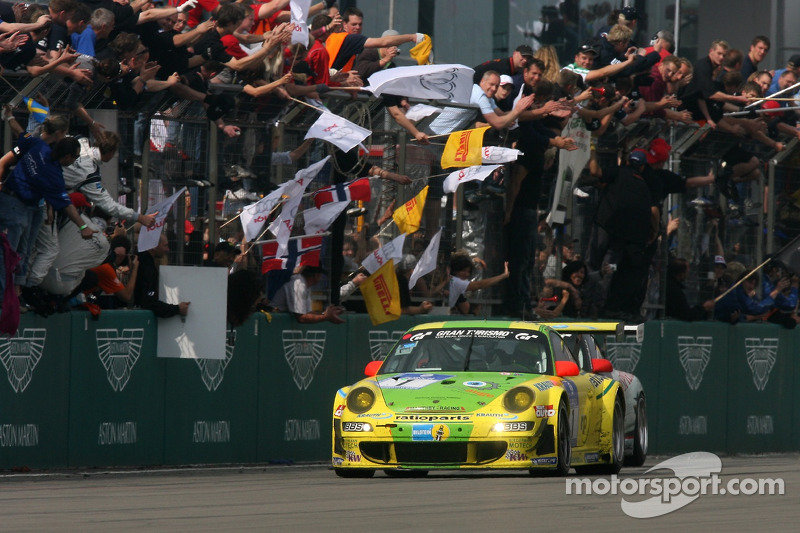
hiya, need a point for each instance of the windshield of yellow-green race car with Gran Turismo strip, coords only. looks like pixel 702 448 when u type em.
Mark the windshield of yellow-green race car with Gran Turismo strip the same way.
pixel 474 349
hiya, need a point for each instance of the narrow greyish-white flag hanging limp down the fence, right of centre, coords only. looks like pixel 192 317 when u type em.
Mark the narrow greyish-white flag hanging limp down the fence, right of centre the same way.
pixel 570 165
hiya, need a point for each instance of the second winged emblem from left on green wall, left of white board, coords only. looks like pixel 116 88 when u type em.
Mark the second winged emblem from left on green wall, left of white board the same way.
pixel 118 353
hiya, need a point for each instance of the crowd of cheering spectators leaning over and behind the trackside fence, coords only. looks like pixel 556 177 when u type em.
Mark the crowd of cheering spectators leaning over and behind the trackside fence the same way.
pixel 181 50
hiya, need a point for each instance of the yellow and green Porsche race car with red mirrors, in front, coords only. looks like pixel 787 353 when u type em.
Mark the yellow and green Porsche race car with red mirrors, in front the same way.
pixel 476 395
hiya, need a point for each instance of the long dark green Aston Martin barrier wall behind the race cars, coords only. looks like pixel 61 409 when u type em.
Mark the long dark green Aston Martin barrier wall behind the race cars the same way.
pixel 82 392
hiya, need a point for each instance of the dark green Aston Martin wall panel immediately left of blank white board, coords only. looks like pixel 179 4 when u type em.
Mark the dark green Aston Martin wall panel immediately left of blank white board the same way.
pixel 116 390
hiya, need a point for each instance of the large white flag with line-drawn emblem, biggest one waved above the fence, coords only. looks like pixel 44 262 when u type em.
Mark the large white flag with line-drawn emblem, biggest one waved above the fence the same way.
pixel 434 82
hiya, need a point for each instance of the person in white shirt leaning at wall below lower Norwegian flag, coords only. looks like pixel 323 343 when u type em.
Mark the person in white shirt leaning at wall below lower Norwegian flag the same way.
pixel 294 297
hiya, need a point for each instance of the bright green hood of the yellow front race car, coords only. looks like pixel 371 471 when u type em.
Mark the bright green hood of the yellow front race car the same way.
pixel 447 392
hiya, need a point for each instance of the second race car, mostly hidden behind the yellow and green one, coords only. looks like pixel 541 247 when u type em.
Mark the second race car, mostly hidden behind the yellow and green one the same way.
pixel 583 345
